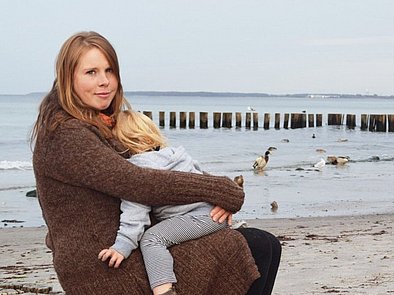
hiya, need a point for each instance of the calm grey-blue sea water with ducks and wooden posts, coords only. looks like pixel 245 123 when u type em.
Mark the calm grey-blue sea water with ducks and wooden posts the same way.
pixel 361 186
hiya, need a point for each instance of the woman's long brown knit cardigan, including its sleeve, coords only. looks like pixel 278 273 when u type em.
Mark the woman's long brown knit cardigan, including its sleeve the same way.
pixel 80 181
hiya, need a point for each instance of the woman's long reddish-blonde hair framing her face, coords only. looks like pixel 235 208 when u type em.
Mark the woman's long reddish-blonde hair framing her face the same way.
pixel 62 95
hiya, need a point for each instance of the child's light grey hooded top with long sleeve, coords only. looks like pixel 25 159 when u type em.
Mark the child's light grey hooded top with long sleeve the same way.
pixel 135 217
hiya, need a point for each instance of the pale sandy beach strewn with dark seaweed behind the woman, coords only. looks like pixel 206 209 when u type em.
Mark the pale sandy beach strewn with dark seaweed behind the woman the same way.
pixel 321 255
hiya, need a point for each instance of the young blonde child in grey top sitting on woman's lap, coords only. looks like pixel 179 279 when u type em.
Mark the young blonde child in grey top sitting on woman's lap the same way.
pixel 177 223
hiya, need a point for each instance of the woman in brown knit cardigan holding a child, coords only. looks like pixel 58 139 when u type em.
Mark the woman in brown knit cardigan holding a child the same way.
pixel 82 173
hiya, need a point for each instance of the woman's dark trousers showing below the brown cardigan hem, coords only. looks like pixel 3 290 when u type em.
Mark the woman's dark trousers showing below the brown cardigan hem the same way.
pixel 266 250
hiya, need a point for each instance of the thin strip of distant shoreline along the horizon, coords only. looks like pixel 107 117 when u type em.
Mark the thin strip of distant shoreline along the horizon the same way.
pixel 233 94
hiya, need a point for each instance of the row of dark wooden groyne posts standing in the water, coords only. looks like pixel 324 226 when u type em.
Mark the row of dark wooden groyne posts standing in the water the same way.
pixel 371 122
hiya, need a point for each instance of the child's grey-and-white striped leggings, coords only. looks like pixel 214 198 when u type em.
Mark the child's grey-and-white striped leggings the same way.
pixel 169 232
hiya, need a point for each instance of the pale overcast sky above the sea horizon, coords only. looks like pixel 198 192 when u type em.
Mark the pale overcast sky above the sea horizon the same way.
pixel 275 46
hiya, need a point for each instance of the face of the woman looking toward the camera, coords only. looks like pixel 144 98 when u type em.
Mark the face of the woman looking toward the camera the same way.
pixel 94 80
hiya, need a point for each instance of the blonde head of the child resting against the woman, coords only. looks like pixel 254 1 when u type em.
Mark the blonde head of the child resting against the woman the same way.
pixel 137 132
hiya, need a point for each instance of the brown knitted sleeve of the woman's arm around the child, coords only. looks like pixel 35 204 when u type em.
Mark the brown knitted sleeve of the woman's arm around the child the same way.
pixel 76 155
